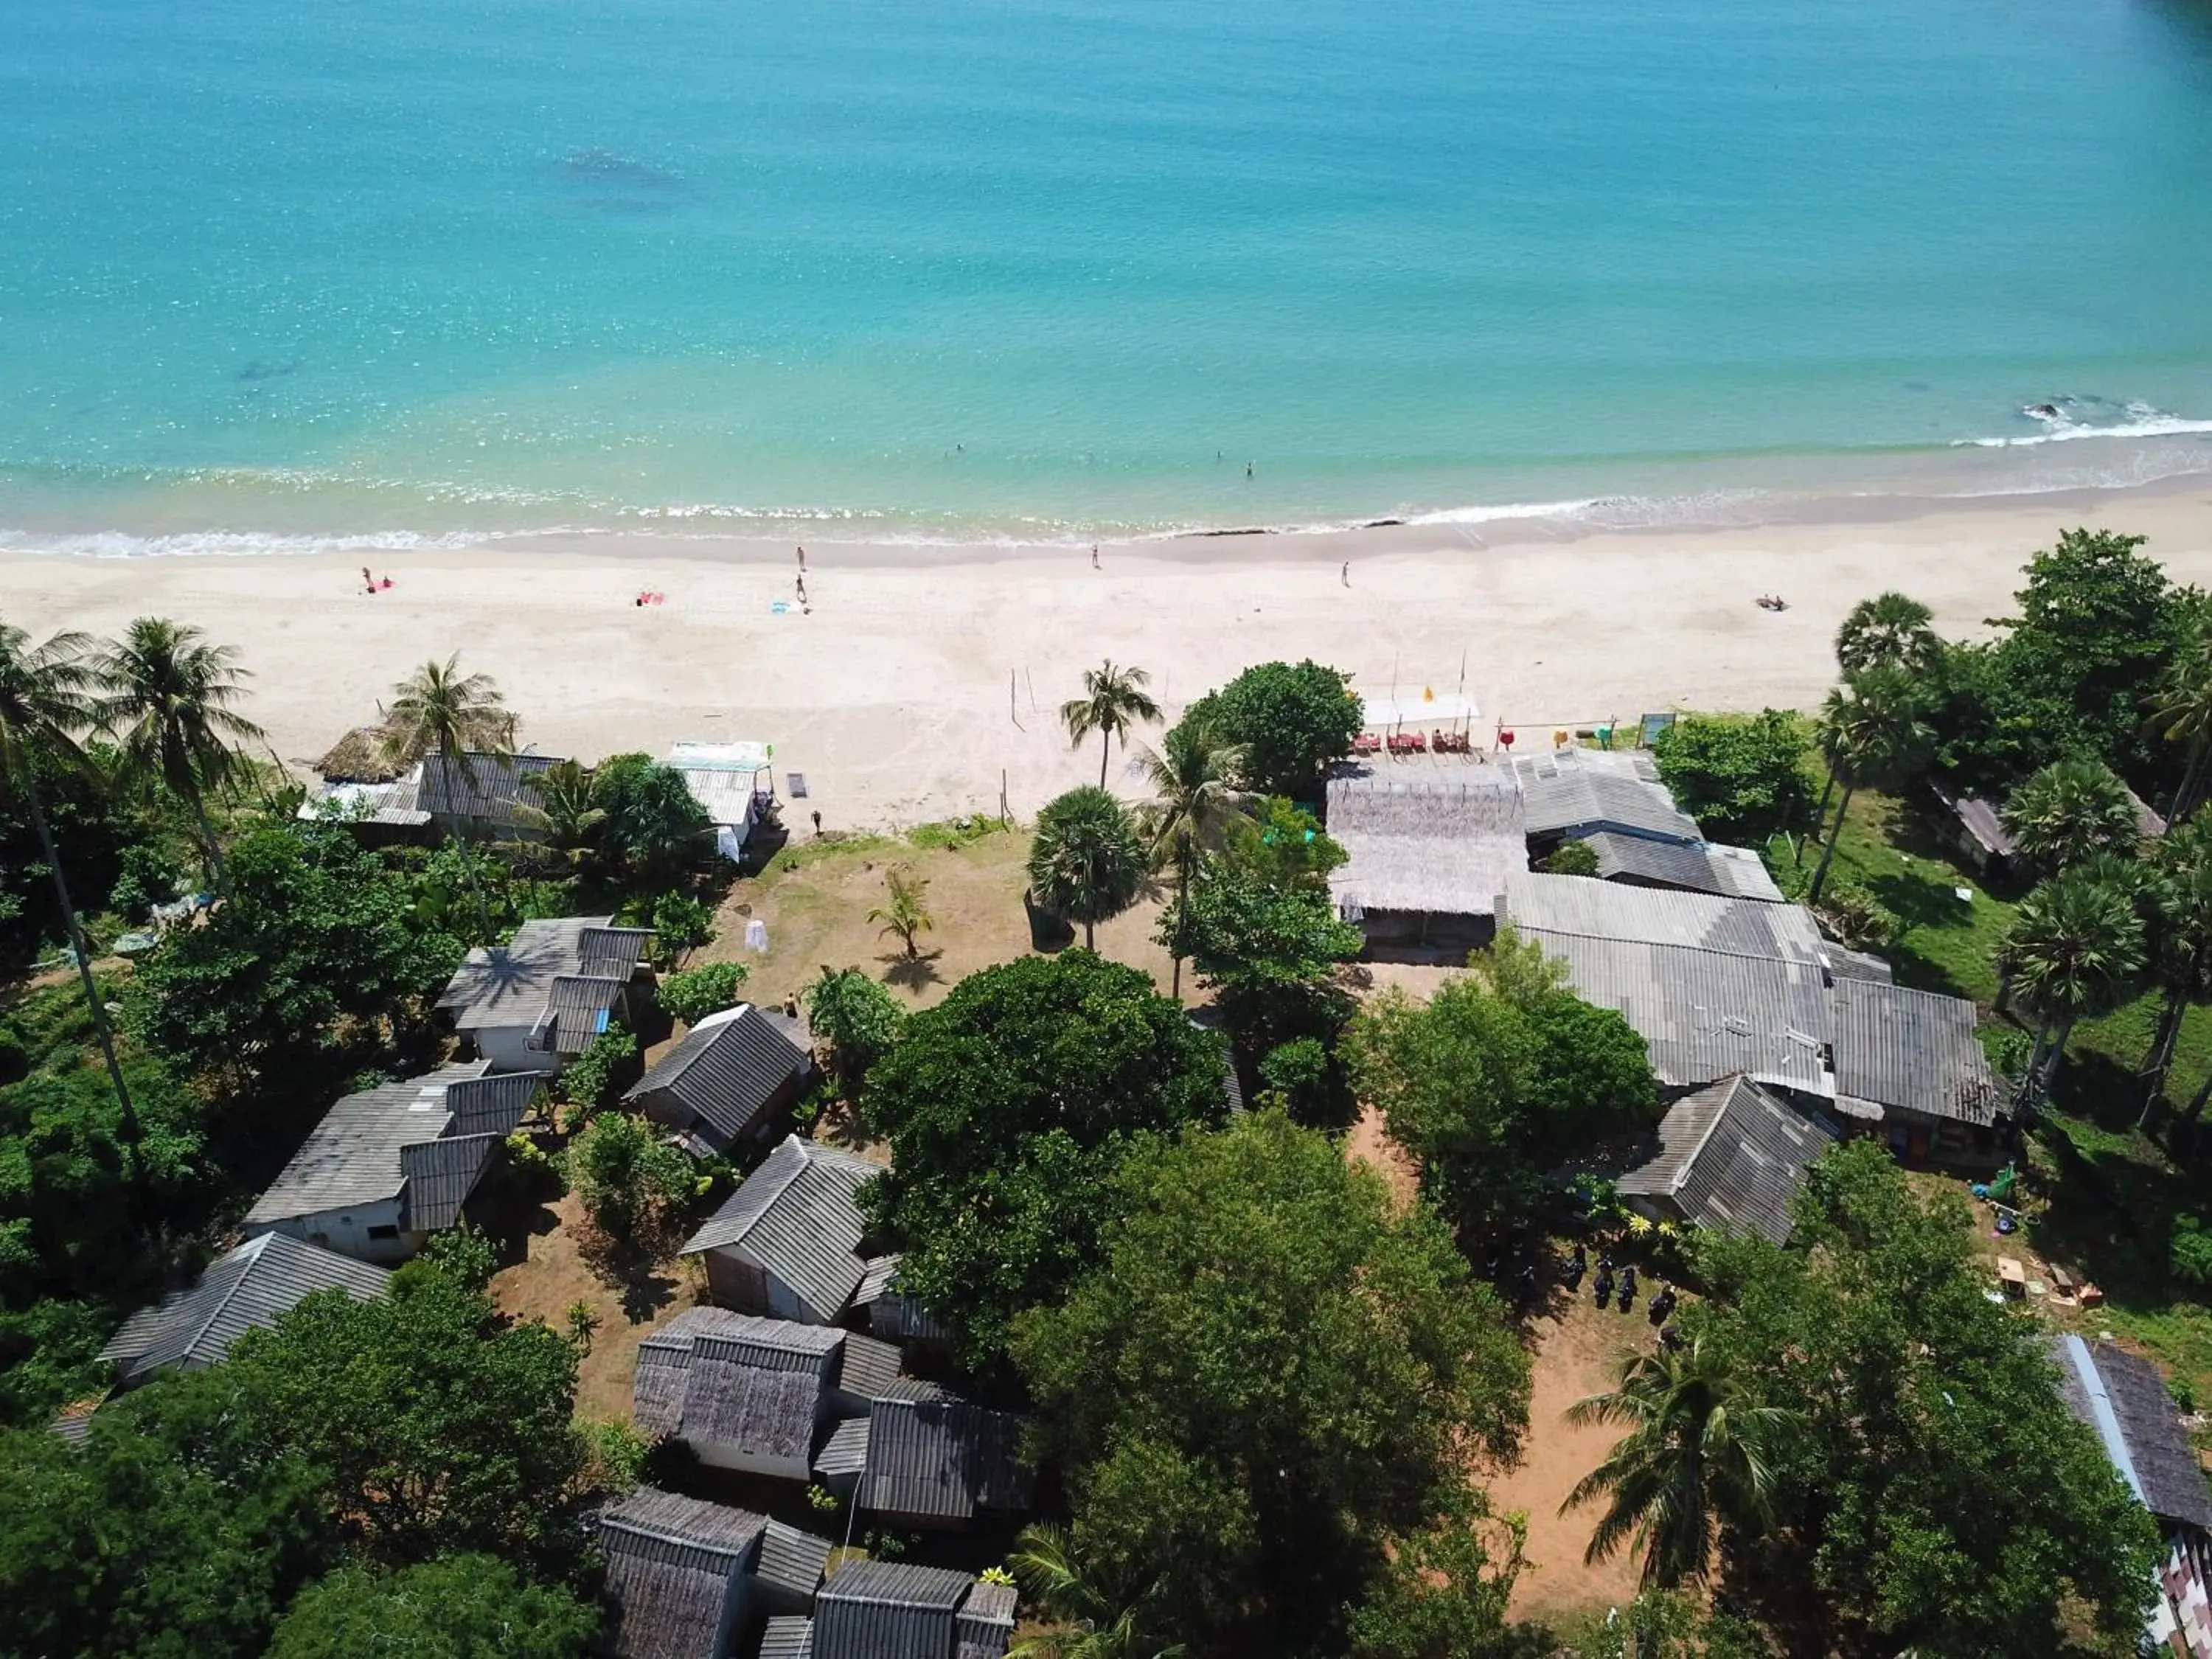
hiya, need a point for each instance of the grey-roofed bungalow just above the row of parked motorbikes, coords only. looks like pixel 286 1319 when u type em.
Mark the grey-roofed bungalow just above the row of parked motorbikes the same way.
pixel 1731 1156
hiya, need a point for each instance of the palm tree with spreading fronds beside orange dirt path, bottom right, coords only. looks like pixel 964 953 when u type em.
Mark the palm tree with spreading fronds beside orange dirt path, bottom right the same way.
pixel 1698 1452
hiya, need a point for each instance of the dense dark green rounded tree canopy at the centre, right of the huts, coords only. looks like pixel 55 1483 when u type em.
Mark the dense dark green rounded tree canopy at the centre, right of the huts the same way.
pixel 1008 1109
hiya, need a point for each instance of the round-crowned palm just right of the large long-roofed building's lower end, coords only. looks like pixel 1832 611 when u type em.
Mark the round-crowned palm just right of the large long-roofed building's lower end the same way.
pixel 2074 952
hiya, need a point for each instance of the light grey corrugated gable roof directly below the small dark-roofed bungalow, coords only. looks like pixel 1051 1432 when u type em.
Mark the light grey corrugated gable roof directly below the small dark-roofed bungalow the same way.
pixel 797 1218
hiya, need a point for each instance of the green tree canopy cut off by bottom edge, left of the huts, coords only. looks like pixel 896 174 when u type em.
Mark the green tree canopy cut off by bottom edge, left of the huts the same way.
pixel 463 1607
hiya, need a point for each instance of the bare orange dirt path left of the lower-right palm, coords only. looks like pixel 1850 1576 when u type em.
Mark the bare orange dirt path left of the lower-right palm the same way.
pixel 1574 1357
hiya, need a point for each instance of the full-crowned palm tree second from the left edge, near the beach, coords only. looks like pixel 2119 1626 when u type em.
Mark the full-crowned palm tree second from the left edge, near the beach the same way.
pixel 167 696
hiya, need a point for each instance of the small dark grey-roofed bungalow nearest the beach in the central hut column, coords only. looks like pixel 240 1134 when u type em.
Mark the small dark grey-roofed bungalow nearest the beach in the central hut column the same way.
pixel 731 1078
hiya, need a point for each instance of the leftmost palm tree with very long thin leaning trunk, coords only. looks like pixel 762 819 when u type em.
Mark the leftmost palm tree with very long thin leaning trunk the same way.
pixel 45 702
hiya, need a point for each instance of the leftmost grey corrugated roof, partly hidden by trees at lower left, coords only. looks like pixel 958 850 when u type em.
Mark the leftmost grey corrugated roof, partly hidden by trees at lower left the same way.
pixel 251 1288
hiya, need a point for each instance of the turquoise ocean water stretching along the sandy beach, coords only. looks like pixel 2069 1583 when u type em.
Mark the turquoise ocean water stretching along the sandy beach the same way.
pixel 399 271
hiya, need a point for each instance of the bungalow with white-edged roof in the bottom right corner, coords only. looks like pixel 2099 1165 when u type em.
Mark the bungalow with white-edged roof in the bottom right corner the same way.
pixel 2127 1406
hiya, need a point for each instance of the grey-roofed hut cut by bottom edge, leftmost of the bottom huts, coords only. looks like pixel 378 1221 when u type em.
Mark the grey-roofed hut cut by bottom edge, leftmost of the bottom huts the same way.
pixel 685 1576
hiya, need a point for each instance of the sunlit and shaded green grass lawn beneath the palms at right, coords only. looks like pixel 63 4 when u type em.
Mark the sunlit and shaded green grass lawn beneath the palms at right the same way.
pixel 2114 1193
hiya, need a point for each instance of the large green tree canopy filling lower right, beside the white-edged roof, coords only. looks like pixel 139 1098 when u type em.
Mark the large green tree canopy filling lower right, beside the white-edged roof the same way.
pixel 1906 1516
